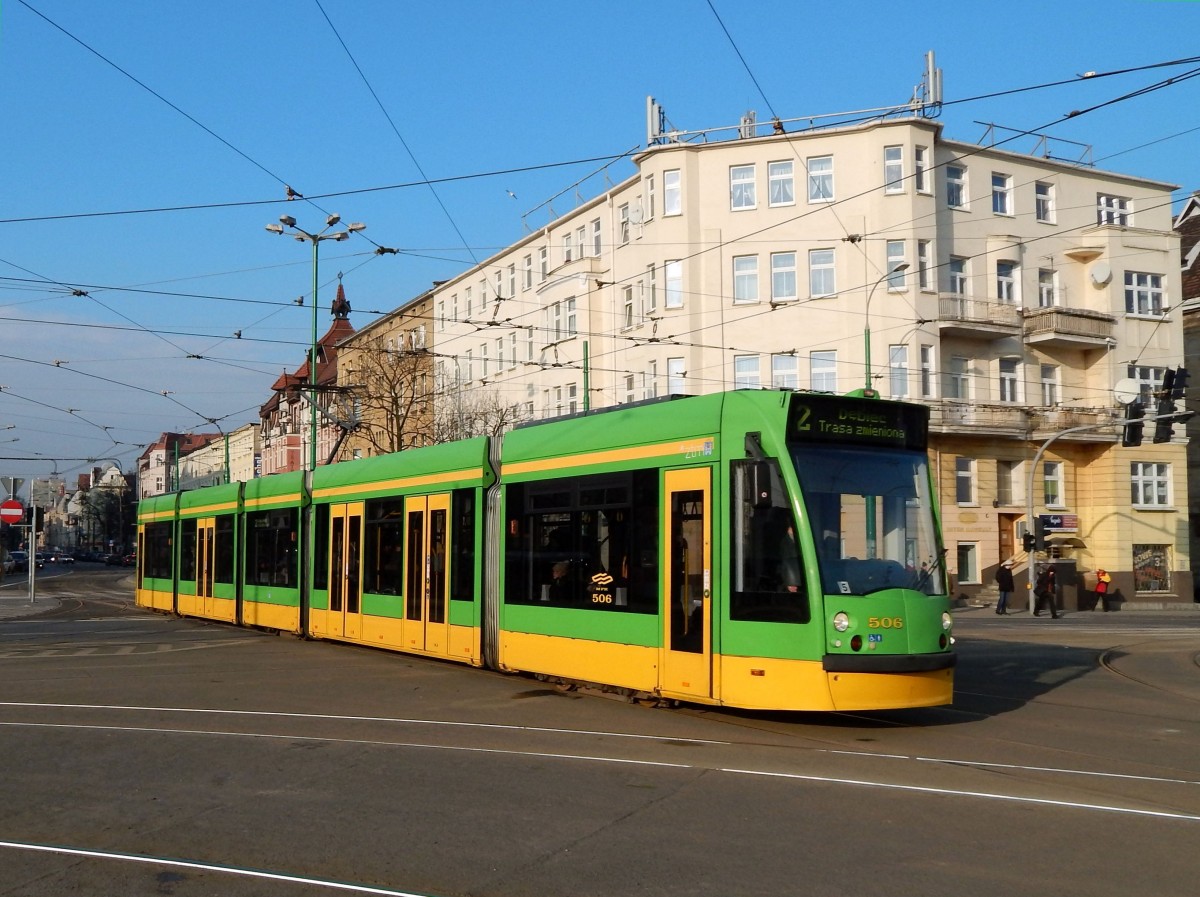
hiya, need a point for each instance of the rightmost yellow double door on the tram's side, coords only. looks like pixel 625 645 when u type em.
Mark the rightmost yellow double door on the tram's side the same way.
pixel 427 581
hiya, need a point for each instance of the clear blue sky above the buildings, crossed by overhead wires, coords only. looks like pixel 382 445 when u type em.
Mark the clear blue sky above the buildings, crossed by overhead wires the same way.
pixel 148 145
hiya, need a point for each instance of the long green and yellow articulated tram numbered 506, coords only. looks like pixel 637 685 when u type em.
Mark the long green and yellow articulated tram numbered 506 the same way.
pixel 761 550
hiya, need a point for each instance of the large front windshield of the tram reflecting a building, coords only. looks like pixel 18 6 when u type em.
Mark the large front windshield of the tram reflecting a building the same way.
pixel 872 517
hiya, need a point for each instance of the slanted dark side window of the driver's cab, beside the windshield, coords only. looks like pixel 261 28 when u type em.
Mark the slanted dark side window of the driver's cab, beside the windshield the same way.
pixel 769 571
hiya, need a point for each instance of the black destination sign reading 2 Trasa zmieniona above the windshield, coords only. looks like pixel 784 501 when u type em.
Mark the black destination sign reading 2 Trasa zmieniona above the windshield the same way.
pixel 857 422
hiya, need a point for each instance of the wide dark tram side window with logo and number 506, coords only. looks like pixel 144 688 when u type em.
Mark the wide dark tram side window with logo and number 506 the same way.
pixel 585 543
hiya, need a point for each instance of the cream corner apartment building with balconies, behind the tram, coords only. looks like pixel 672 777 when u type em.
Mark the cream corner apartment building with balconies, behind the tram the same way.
pixel 1009 292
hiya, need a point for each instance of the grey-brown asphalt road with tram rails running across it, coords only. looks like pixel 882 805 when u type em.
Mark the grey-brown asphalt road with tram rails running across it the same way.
pixel 145 755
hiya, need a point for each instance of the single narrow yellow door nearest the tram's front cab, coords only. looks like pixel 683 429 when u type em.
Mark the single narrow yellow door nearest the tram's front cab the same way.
pixel 688 618
